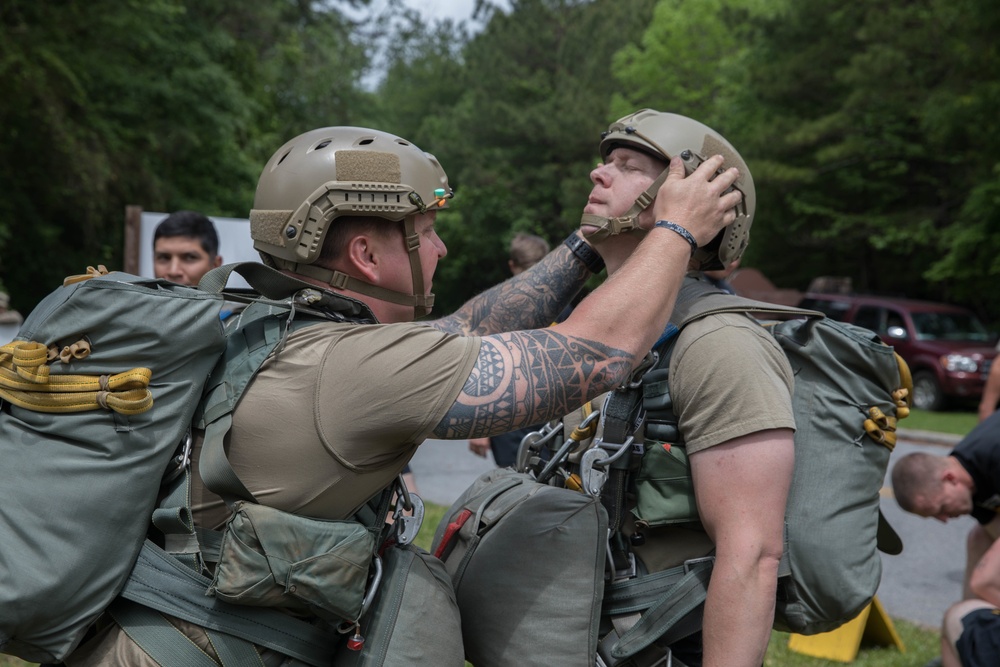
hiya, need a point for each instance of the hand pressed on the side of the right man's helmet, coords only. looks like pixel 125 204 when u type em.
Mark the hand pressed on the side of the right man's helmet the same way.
pixel 700 202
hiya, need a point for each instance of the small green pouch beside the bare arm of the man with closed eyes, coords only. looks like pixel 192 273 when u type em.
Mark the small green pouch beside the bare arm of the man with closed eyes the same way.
pixel 663 488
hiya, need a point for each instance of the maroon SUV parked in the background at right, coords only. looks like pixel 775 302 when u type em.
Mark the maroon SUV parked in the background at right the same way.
pixel 947 347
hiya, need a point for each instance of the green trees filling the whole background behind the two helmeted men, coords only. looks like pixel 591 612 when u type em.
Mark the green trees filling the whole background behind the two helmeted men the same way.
pixel 870 125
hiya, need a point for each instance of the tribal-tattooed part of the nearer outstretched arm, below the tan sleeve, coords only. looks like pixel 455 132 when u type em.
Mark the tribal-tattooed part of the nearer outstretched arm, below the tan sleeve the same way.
pixel 529 377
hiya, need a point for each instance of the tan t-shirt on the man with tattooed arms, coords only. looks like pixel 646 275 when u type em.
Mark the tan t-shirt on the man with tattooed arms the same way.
pixel 334 417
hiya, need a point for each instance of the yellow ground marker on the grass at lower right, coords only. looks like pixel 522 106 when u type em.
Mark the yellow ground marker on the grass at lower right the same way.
pixel 872 627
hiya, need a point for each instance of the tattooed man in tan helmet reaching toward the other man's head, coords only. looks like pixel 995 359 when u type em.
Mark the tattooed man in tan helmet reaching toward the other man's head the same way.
pixel 331 419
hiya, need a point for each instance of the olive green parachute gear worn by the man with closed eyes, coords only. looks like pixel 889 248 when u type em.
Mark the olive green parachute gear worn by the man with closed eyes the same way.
pixel 850 389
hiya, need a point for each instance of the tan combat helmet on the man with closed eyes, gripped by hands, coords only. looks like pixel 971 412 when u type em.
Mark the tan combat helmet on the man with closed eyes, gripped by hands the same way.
pixel 665 135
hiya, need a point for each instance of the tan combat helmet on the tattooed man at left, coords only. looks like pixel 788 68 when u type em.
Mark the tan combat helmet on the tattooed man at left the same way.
pixel 344 171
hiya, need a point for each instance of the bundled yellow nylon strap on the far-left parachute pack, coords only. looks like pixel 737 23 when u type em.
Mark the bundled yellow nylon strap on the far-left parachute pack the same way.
pixel 26 382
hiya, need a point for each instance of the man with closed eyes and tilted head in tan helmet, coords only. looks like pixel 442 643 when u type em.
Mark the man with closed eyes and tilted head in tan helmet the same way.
pixel 729 381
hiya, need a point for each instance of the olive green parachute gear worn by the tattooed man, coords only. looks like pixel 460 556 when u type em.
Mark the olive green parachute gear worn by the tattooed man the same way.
pixel 100 393
